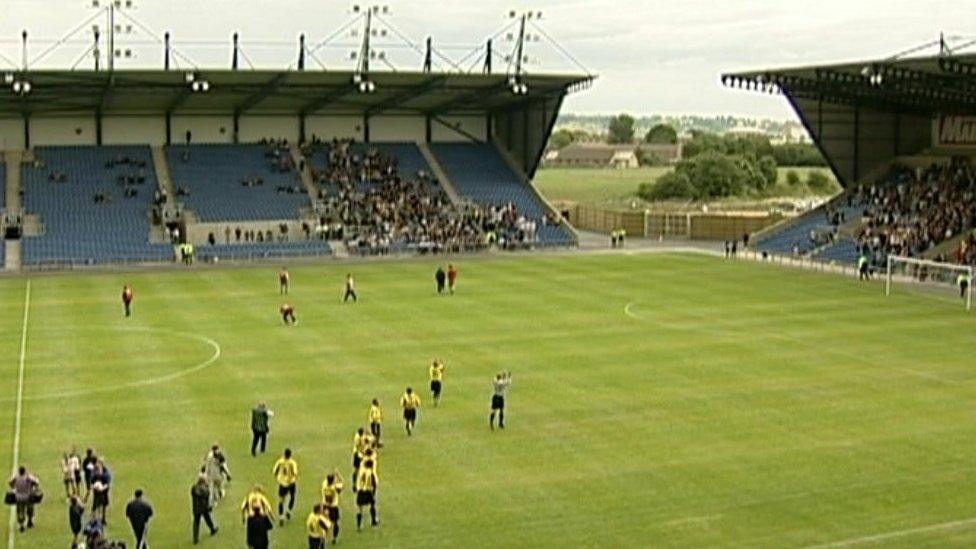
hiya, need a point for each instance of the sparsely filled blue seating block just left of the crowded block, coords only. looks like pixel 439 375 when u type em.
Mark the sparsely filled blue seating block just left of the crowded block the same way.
pixel 236 182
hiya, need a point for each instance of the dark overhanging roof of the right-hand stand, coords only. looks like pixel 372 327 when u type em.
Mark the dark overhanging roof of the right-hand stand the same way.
pixel 943 84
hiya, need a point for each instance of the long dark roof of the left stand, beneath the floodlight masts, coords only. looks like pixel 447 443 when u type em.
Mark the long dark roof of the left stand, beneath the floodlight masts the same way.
pixel 58 92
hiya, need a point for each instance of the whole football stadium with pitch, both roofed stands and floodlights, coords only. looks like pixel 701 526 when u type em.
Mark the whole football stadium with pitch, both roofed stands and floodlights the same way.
pixel 321 306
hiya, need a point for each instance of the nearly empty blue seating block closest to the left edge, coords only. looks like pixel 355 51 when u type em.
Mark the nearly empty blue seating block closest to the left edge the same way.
pixel 93 203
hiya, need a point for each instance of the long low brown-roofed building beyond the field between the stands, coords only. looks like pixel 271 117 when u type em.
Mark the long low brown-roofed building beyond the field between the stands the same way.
pixel 600 155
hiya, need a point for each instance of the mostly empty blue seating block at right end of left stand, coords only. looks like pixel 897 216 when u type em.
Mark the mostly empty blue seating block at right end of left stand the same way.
pixel 480 174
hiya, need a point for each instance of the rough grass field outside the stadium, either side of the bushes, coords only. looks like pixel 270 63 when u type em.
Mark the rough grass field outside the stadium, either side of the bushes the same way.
pixel 602 186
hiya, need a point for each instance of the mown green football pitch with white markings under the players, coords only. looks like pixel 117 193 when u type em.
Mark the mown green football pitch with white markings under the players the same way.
pixel 736 404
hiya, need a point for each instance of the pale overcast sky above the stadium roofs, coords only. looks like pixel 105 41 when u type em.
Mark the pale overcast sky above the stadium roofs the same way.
pixel 650 56
